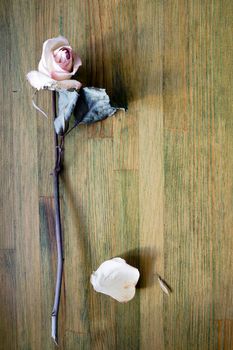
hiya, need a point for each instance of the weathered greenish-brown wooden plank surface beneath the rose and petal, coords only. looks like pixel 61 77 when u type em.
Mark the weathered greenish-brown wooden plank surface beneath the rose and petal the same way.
pixel 153 185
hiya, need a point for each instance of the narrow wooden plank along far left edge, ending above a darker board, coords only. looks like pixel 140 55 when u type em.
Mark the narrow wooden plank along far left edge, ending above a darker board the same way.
pixel 7 238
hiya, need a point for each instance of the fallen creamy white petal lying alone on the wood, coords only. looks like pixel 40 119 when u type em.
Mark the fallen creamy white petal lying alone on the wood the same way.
pixel 116 278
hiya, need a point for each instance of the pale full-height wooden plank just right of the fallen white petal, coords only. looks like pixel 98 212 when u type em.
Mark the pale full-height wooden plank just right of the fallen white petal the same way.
pixel 151 174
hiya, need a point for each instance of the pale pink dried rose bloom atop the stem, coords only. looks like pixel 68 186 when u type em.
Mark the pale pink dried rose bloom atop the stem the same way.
pixel 57 65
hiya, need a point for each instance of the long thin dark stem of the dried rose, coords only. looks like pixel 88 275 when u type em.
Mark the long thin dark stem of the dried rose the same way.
pixel 58 231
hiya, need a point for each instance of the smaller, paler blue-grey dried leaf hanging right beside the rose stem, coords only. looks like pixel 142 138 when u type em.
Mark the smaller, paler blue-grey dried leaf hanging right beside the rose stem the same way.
pixel 66 104
